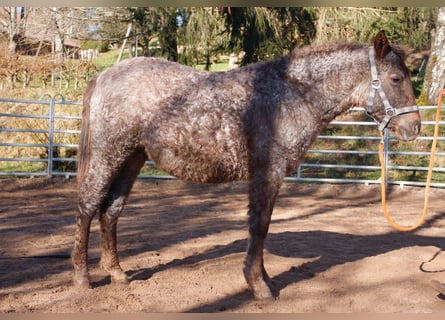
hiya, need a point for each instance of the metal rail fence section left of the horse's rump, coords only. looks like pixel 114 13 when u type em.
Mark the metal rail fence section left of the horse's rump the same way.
pixel 30 138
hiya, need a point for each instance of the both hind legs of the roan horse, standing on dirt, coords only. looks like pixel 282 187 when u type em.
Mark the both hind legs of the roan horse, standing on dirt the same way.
pixel 99 191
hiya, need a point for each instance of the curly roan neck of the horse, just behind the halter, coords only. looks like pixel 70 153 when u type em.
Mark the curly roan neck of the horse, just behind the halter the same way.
pixel 338 79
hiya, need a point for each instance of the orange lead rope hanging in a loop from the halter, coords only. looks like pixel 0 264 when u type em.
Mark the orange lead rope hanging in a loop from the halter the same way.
pixel 428 179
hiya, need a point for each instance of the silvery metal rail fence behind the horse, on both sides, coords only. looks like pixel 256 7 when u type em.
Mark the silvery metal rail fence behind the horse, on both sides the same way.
pixel 40 138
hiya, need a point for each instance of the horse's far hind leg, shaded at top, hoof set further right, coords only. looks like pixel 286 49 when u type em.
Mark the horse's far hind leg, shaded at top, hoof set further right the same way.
pixel 111 210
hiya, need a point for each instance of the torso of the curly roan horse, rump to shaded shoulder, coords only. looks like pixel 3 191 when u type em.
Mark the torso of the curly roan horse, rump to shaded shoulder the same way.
pixel 189 122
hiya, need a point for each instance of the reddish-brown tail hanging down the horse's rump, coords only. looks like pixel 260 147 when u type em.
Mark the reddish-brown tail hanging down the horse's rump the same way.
pixel 84 152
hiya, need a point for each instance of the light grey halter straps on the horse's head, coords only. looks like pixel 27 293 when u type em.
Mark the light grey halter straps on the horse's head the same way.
pixel 390 111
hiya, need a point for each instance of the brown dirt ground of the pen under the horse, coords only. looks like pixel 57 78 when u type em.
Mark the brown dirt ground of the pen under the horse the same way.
pixel 182 245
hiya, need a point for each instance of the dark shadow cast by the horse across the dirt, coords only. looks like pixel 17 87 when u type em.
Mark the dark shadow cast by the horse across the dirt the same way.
pixel 297 243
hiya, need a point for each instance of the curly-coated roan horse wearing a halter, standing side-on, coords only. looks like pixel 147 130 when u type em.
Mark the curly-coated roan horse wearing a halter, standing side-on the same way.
pixel 253 123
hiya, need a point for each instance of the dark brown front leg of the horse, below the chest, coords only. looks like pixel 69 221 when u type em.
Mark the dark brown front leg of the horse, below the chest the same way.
pixel 262 194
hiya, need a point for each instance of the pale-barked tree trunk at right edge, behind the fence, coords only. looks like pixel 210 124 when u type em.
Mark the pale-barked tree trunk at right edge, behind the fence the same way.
pixel 435 73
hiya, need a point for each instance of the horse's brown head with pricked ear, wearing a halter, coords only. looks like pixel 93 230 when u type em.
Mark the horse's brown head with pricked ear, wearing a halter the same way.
pixel 392 102
